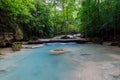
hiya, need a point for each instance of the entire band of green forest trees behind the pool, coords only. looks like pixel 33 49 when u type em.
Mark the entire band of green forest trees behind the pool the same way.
pixel 31 19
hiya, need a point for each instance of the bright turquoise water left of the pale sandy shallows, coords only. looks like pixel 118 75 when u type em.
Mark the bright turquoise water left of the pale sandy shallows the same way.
pixel 38 64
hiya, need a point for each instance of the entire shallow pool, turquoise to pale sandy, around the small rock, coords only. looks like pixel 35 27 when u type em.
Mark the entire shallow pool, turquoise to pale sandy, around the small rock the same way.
pixel 80 62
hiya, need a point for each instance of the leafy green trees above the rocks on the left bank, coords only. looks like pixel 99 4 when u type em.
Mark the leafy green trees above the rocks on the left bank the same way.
pixel 30 16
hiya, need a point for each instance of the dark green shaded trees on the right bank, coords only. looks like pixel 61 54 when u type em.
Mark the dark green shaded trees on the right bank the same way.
pixel 100 18
